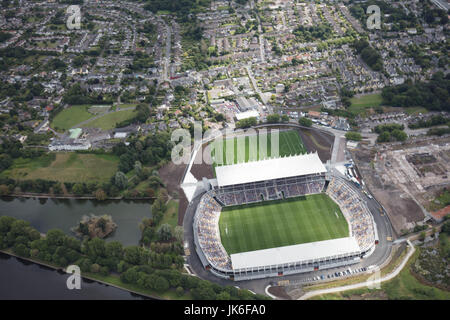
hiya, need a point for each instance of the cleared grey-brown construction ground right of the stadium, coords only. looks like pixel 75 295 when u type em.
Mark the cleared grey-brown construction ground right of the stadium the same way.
pixel 406 177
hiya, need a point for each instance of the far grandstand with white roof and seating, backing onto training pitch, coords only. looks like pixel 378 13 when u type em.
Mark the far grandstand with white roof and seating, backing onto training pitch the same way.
pixel 270 179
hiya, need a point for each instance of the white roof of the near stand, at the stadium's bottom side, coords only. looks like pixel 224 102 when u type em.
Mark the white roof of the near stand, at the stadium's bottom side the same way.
pixel 295 253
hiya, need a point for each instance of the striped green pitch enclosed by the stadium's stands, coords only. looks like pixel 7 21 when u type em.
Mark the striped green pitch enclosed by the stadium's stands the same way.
pixel 281 223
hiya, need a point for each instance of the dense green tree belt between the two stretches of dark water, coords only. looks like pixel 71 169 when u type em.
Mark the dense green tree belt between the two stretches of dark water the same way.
pixel 156 269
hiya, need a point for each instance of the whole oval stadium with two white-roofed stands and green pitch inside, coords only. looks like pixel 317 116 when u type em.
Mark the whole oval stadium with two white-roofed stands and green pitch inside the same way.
pixel 280 215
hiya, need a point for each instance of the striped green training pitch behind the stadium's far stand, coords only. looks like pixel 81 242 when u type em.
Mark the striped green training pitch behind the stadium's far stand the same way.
pixel 290 143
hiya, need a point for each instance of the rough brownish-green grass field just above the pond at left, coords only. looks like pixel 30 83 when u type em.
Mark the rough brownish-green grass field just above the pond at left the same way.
pixel 65 167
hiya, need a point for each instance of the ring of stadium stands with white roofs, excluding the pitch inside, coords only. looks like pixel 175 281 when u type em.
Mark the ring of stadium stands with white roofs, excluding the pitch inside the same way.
pixel 279 178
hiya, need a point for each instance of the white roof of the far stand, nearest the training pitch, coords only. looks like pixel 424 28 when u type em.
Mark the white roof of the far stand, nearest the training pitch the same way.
pixel 269 169
